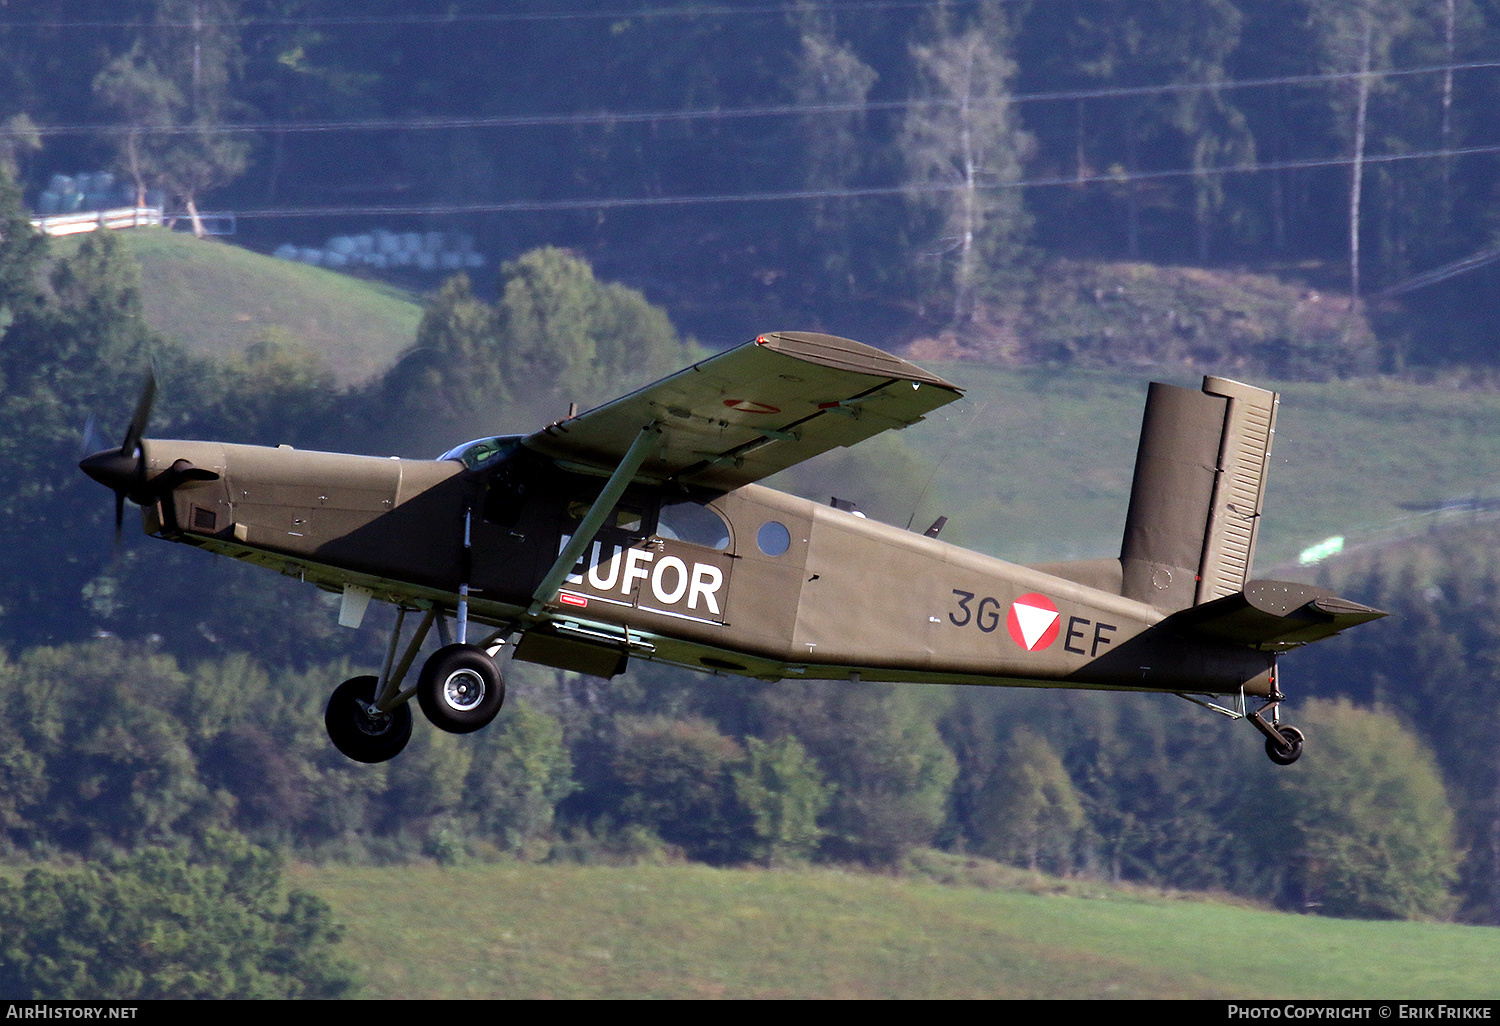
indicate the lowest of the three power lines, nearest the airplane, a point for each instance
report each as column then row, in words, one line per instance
column 616, row 203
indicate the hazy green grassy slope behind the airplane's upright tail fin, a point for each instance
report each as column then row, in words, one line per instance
column 1037, row 466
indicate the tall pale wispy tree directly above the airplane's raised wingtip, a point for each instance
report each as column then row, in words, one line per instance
column 964, row 152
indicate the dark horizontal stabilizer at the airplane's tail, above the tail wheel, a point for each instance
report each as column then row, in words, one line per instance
column 1273, row 616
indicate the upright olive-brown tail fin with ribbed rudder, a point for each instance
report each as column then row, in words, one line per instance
column 1201, row 479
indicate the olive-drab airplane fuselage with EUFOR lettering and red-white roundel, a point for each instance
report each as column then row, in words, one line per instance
column 788, row 589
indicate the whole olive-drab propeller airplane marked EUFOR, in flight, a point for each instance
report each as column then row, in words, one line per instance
column 637, row 530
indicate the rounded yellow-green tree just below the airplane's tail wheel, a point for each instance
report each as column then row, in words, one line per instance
column 1372, row 818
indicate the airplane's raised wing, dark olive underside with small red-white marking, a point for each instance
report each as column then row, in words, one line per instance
column 752, row 412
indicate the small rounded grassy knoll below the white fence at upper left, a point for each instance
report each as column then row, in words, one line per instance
column 217, row 299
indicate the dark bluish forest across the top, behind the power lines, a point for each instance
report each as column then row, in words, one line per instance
column 898, row 169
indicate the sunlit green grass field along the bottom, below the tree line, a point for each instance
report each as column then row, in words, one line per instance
column 518, row 931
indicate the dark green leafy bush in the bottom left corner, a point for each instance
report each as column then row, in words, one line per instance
column 169, row 925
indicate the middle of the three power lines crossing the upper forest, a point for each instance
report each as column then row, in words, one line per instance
column 692, row 115
